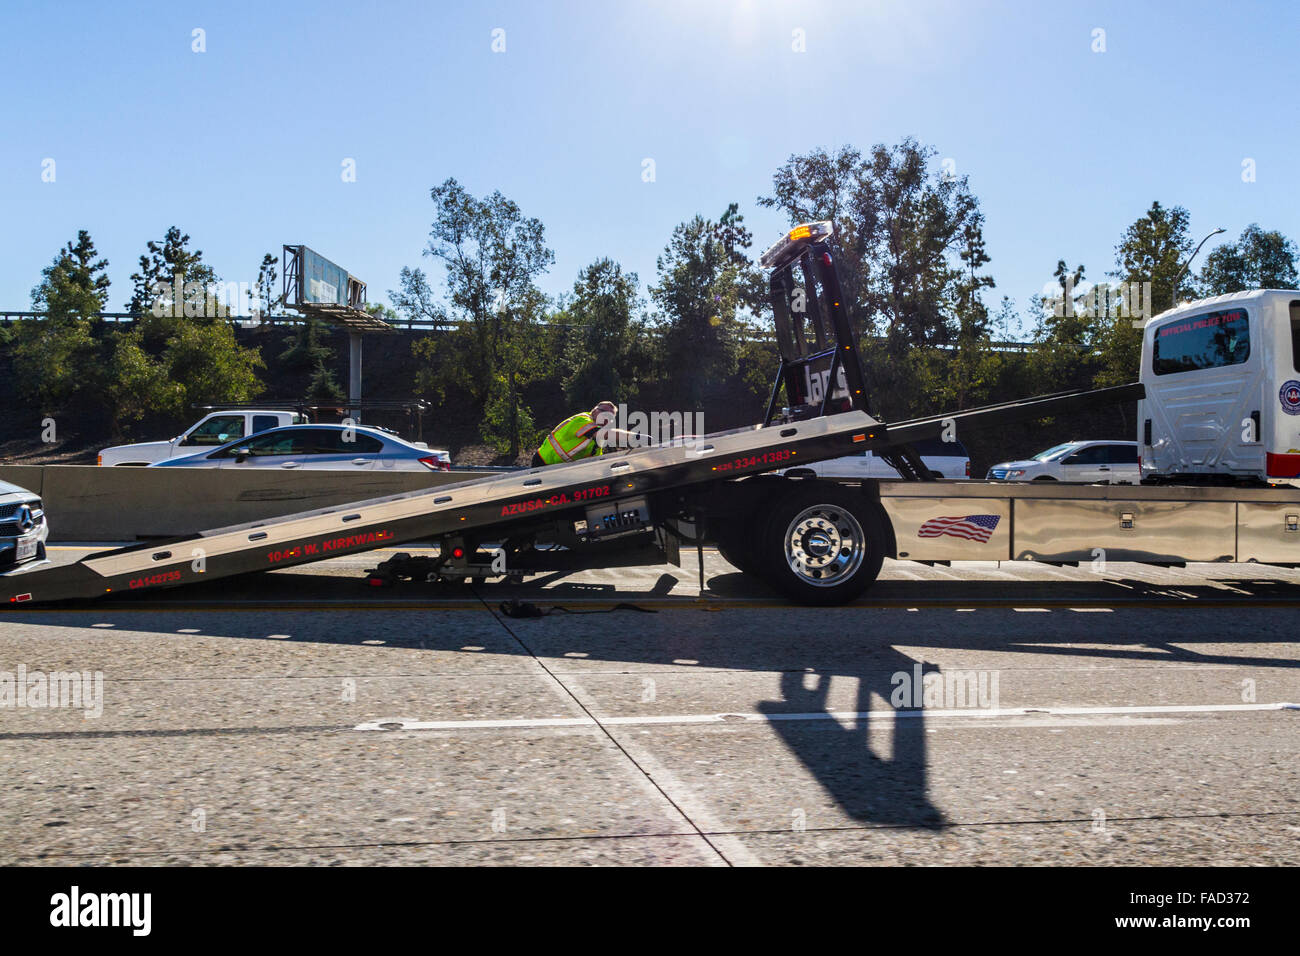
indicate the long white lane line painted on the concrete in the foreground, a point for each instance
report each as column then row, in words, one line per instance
column 972, row 713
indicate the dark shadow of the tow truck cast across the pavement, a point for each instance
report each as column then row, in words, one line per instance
column 807, row 647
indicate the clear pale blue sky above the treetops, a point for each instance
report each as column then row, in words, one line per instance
column 242, row 146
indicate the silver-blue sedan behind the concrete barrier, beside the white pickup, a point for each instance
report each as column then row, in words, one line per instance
column 318, row 448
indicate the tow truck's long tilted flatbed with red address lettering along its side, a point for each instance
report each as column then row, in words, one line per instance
column 500, row 500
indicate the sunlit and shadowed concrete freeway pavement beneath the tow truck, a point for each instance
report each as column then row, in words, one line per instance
column 987, row 715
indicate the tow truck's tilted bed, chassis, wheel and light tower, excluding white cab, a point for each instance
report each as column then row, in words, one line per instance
column 821, row 542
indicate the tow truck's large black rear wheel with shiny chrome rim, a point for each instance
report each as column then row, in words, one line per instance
column 821, row 546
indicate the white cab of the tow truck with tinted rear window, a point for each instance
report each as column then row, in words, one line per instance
column 1223, row 380
